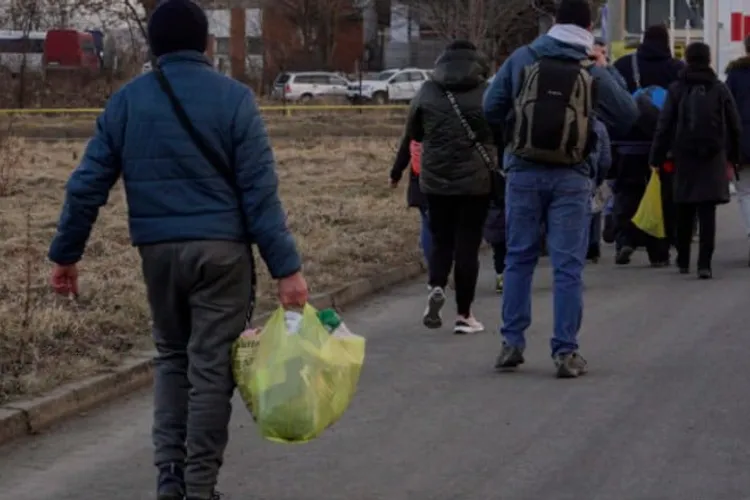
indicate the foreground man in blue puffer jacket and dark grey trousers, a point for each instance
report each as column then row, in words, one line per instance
column 185, row 220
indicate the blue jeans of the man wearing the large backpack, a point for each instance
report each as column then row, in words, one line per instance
column 561, row 198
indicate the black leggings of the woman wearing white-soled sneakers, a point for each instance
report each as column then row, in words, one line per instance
column 456, row 224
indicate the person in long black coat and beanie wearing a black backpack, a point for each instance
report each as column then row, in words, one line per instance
column 701, row 174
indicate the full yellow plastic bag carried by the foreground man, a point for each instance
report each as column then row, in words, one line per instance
column 302, row 382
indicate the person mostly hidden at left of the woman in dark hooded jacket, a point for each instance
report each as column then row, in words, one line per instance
column 409, row 156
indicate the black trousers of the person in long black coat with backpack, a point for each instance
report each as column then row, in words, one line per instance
column 686, row 216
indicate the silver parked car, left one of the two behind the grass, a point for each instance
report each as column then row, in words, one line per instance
column 304, row 86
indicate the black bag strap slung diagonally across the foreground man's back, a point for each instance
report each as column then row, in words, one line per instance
column 218, row 163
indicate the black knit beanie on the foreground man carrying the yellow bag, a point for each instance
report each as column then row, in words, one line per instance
column 177, row 25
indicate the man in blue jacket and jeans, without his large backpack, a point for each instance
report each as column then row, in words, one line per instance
column 537, row 193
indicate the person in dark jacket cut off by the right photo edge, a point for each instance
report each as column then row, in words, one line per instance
column 738, row 82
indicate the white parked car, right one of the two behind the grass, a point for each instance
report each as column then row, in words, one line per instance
column 391, row 85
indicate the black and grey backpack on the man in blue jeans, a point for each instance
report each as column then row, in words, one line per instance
column 553, row 112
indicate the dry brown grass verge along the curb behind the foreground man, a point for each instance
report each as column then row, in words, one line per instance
column 349, row 224
